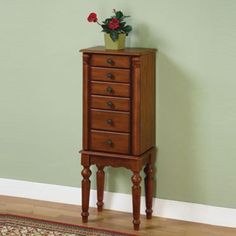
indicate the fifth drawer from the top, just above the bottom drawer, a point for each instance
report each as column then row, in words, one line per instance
column 110, row 120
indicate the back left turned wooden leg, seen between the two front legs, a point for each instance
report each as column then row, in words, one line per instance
column 100, row 187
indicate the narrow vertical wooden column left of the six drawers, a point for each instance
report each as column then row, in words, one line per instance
column 86, row 58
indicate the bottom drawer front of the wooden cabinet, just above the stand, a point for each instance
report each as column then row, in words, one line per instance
column 110, row 142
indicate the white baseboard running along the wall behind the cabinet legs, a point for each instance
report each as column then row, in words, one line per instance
column 121, row 202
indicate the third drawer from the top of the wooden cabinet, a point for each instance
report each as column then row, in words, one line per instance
column 111, row 89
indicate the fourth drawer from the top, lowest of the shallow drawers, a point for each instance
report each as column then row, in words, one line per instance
column 110, row 103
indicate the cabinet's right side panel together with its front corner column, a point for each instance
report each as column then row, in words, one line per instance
column 143, row 103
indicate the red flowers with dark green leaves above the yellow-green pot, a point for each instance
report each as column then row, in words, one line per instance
column 113, row 25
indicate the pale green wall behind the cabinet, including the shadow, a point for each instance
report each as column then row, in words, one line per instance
column 41, row 91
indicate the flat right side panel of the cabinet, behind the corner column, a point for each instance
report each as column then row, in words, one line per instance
column 148, row 75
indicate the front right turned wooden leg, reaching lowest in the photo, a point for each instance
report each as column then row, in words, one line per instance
column 136, row 195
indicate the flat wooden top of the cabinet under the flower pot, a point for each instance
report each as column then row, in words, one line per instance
column 126, row 51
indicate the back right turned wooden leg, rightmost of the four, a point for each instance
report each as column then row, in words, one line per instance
column 148, row 189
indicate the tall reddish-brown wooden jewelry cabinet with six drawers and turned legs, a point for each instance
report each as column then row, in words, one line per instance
column 119, row 120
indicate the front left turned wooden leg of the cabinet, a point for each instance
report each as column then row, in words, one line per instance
column 86, row 172
